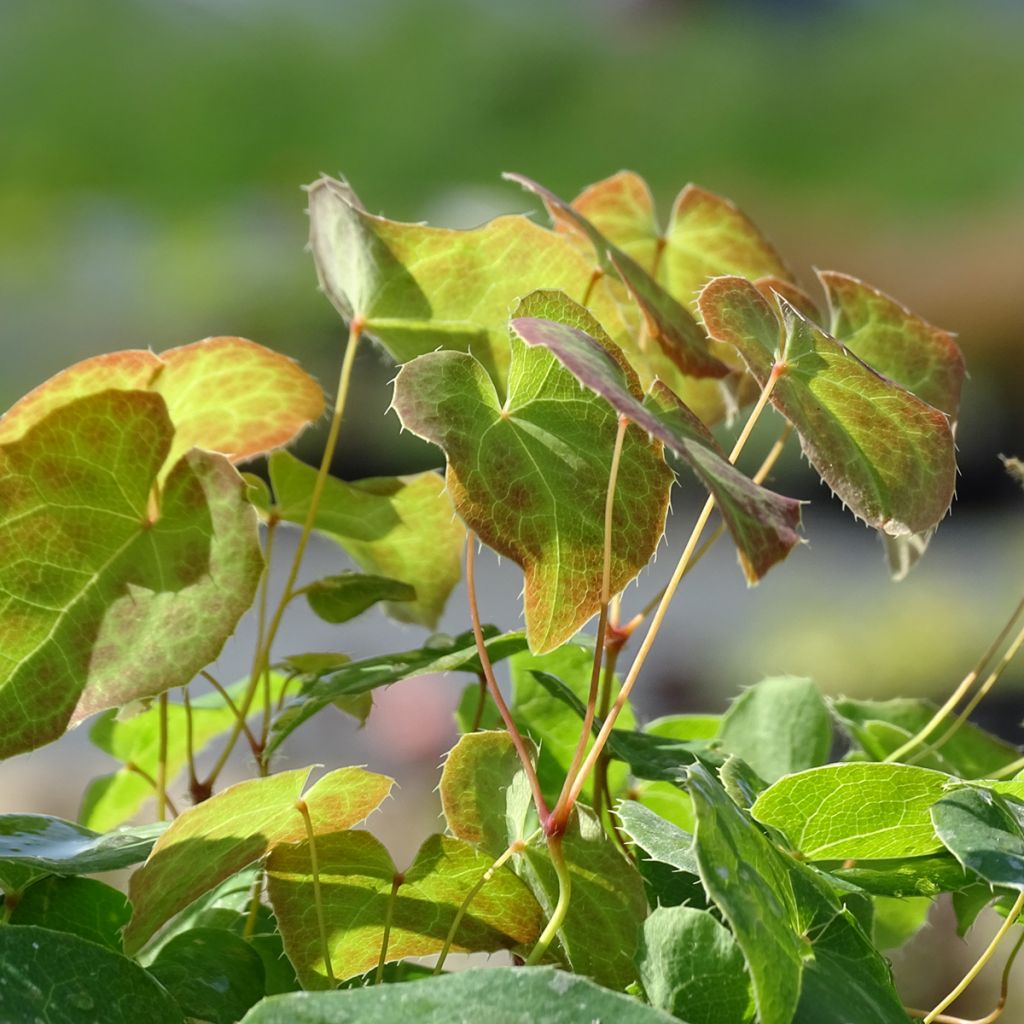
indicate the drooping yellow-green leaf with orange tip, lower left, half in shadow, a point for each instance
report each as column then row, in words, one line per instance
column 210, row 842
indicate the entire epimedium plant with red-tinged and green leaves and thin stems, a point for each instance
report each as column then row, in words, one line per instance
column 714, row 870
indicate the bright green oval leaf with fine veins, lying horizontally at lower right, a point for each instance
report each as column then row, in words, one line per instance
column 857, row 810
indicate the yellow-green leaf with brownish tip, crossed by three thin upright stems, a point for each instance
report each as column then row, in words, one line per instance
column 357, row 877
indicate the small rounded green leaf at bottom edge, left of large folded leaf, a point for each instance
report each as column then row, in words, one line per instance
column 692, row 967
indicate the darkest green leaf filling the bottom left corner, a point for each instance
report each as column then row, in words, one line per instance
column 58, row 978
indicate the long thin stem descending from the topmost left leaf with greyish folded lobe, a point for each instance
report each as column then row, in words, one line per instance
column 262, row 658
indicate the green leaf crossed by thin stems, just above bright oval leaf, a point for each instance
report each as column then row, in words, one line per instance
column 880, row 728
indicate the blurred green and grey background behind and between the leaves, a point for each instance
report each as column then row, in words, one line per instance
column 151, row 165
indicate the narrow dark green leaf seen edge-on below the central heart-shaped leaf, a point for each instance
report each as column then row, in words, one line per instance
column 442, row 654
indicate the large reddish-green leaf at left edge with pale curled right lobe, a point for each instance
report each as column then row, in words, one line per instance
column 93, row 579
